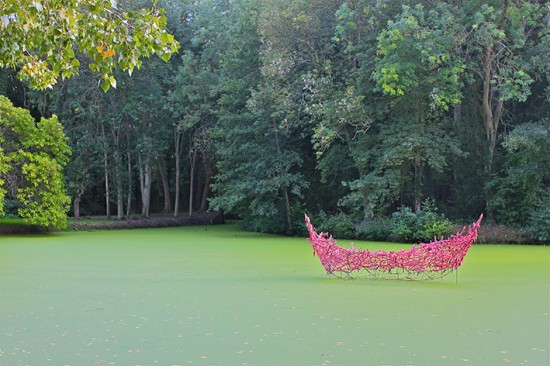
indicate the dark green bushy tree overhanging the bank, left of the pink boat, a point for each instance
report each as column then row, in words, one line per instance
column 255, row 176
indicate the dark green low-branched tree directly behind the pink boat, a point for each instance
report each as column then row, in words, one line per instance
column 405, row 155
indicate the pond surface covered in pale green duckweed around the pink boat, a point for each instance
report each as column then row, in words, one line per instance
column 219, row 296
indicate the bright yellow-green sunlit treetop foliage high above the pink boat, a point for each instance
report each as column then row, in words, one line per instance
column 416, row 50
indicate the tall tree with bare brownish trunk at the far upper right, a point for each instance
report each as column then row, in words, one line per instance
column 500, row 33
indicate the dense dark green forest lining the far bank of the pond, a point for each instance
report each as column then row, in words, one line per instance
column 350, row 111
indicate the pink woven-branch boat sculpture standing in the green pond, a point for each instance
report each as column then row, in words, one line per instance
column 421, row 262
